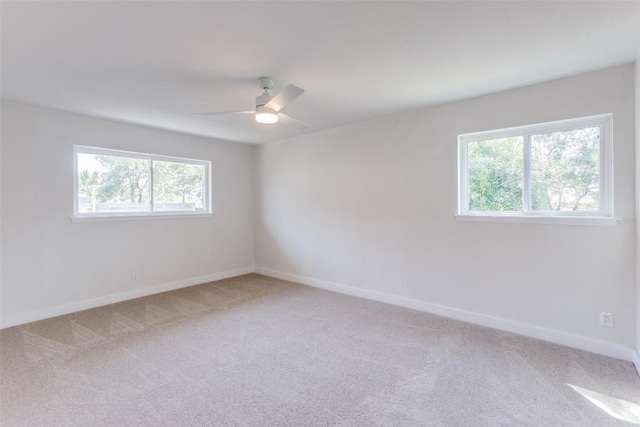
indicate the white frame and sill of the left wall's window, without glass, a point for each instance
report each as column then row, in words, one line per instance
column 81, row 217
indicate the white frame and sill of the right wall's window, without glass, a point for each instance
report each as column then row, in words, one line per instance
column 604, row 216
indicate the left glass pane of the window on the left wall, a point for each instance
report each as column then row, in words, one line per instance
column 112, row 184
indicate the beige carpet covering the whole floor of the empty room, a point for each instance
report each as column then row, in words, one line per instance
column 256, row 351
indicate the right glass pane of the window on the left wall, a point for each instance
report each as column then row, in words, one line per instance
column 178, row 187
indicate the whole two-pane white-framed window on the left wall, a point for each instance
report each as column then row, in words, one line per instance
column 112, row 183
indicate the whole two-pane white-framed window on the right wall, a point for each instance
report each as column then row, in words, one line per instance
column 559, row 170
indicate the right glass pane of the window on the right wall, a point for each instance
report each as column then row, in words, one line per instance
column 565, row 170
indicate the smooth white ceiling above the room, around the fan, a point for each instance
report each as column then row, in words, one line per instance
column 156, row 63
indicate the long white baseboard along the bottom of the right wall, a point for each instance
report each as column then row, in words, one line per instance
column 558, row 337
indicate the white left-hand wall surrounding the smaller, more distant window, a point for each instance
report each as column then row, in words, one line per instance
column 51, row 266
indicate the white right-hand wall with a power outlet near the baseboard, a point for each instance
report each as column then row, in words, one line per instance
column 369, row 208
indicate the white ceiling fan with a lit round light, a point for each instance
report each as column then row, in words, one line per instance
column 268, row 106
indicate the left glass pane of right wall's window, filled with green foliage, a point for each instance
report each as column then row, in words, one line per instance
column 495, row 174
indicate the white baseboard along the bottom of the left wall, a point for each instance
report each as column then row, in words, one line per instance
column 59, row 310
